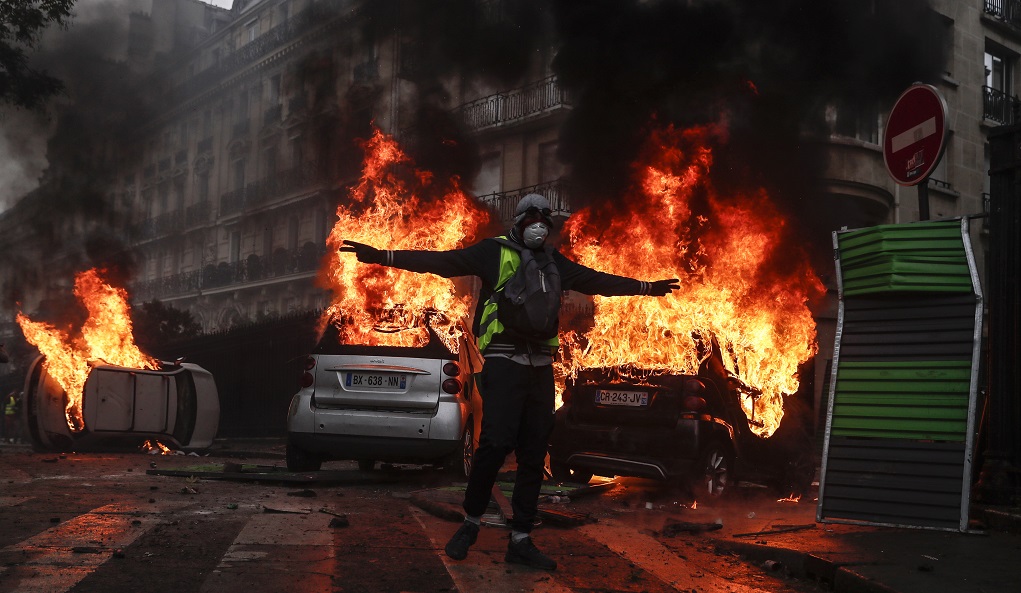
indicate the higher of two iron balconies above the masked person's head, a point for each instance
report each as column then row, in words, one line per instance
column 513, row 107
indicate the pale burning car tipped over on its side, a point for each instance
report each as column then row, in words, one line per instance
column 176, row 405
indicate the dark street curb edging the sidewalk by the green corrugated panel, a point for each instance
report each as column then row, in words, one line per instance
column 841, row 578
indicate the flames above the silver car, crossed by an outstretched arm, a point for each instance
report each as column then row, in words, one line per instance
column 385, row 307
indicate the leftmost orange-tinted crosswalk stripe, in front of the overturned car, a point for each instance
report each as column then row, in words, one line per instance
column 63, row 556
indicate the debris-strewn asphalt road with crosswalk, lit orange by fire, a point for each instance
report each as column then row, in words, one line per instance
column 131, row 522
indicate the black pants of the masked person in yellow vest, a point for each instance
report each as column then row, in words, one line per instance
column 518, row 406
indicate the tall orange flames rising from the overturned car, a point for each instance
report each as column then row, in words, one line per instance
column 106, row 337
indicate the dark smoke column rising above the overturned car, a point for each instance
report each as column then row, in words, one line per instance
column 90, row 133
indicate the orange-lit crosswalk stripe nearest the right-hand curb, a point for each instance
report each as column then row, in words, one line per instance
column 658, row 560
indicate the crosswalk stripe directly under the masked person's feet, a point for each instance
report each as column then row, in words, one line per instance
column 487, row 575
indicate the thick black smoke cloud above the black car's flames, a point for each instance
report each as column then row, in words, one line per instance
column 770, row 67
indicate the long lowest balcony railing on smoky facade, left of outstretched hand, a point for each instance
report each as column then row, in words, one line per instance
column 282, row 263
